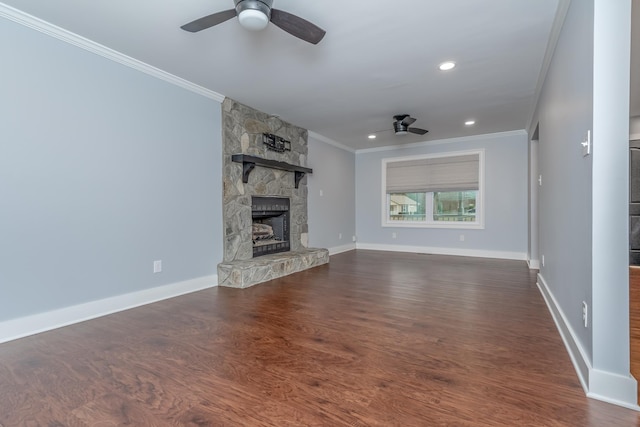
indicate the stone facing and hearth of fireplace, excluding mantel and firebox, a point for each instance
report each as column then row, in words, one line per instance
column 242, row 129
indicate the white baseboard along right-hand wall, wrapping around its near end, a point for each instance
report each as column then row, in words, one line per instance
column 601, row 385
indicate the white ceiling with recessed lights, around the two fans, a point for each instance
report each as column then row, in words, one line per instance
column 379, row 58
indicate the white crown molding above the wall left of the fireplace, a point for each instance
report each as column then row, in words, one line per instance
column 49, row 29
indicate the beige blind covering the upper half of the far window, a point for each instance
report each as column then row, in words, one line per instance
column 452, row 173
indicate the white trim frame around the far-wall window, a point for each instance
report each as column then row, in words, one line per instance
column 480, row 205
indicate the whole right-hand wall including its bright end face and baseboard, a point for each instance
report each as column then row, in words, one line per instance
column 586, row 246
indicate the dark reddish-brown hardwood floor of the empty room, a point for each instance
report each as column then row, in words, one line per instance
column 371, row 339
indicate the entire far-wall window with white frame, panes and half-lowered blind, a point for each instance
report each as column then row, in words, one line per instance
column 443, row 190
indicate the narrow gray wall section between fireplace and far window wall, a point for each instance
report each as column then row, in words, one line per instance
column 334, row 212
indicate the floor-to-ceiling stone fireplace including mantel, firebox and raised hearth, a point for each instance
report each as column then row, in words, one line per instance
column 256, row 181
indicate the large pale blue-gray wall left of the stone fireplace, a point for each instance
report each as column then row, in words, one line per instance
column 103, row 169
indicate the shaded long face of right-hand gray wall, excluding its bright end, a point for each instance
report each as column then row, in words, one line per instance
column 564, row 114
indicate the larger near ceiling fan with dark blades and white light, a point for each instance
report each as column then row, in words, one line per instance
column 255, row 15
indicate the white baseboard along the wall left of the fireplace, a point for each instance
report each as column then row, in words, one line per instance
column 42, row 322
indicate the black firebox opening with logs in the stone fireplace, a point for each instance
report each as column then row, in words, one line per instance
column 270, row 225
